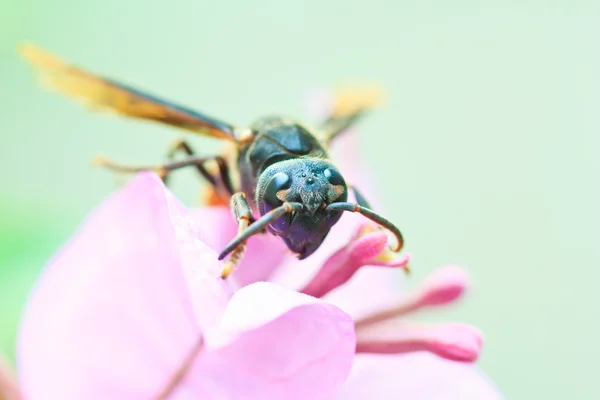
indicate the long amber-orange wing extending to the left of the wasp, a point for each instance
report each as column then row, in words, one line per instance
column 105, row 94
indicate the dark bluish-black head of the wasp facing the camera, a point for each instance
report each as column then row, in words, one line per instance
column 315, row 184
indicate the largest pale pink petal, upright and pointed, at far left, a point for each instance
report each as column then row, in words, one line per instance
column 112, row 318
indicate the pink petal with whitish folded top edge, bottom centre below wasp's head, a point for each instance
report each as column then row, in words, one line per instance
column 274, row 343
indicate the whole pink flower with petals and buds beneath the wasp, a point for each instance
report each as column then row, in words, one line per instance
column 133, row 308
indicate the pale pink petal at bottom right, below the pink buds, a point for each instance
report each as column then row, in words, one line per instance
column 415, row 376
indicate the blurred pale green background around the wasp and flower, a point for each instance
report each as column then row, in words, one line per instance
column 485, row 150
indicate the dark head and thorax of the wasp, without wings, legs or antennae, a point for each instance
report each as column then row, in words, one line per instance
column 285, row 163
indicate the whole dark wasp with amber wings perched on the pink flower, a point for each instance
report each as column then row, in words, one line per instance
column 277, row 168
